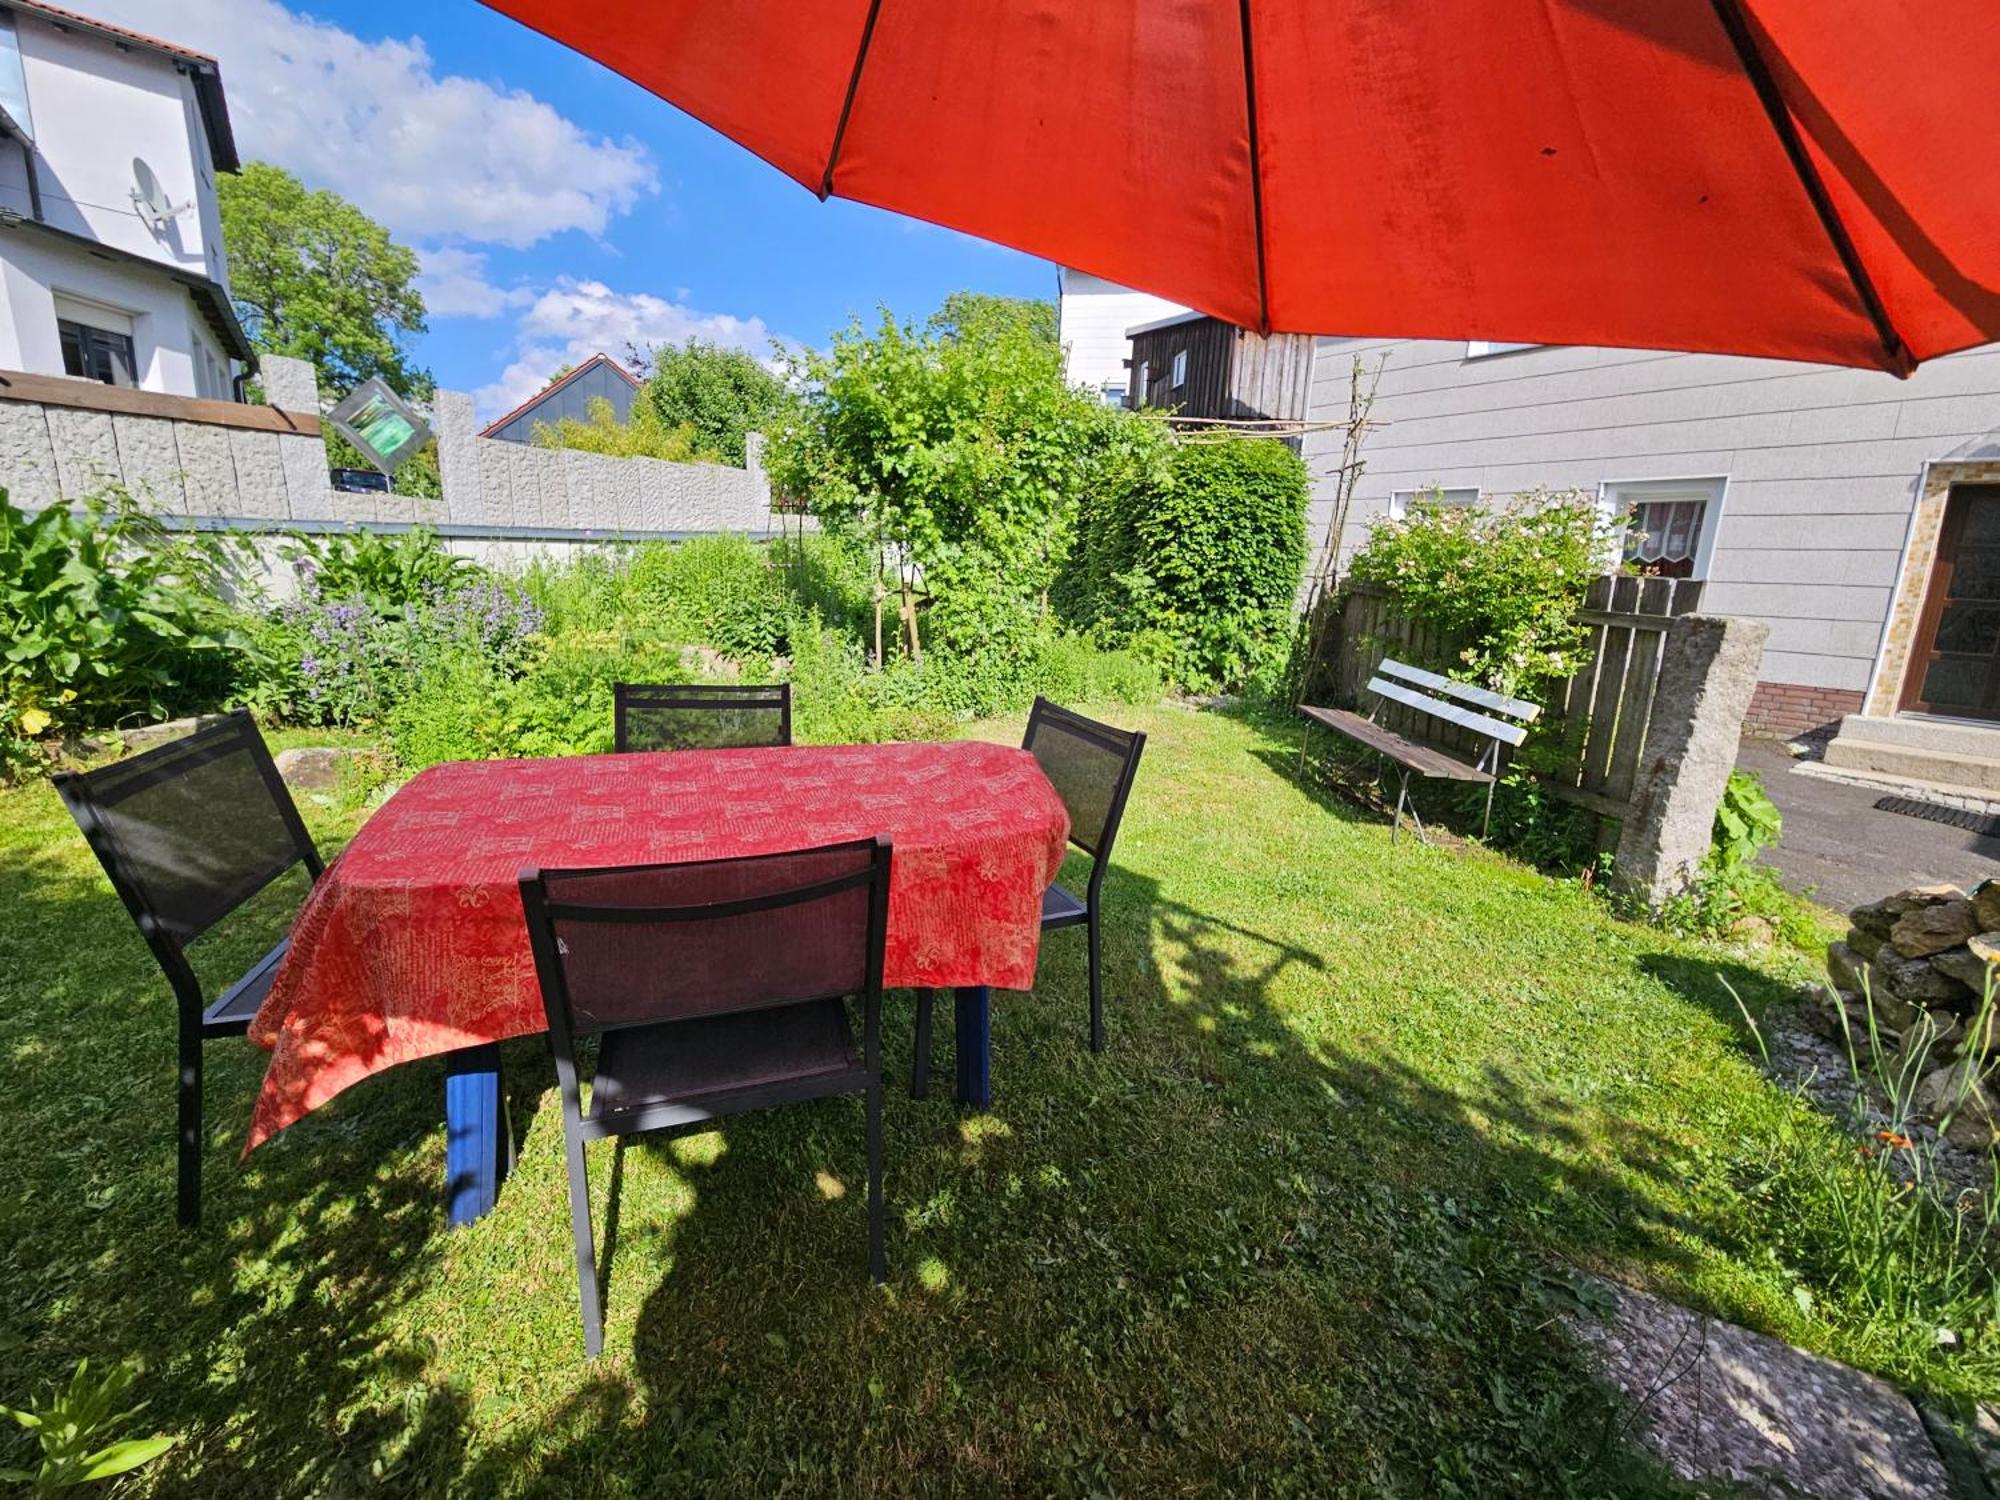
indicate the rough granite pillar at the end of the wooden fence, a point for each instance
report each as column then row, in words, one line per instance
column 1707, row 677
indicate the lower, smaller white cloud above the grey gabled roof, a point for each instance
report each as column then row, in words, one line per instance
column 577, row 319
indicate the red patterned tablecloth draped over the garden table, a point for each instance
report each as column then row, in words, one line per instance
column 413, row 941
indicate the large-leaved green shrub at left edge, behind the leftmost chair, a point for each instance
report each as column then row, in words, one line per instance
column 109, row 619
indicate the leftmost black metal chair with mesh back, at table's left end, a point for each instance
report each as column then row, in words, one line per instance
column 189, row 833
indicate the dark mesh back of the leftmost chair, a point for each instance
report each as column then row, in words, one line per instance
column 193, row 829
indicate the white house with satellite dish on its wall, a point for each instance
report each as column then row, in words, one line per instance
column 111, row 239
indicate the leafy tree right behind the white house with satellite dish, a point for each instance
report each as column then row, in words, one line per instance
column 317, row 279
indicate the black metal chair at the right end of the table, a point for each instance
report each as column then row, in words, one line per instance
column 1091, row 767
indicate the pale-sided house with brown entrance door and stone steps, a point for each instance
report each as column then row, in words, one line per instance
column 1855, row 513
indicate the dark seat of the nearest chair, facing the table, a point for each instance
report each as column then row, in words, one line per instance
column 689, row 1071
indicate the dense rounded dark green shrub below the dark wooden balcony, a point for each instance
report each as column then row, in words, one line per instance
column 1197, row 559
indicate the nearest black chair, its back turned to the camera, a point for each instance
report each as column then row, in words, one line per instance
column 715, row 987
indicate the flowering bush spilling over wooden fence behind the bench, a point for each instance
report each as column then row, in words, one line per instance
column 1509, row 583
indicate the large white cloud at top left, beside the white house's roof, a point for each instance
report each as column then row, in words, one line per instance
column 373, row 121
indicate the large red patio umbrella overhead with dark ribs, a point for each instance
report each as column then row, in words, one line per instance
column 1799, row 179
